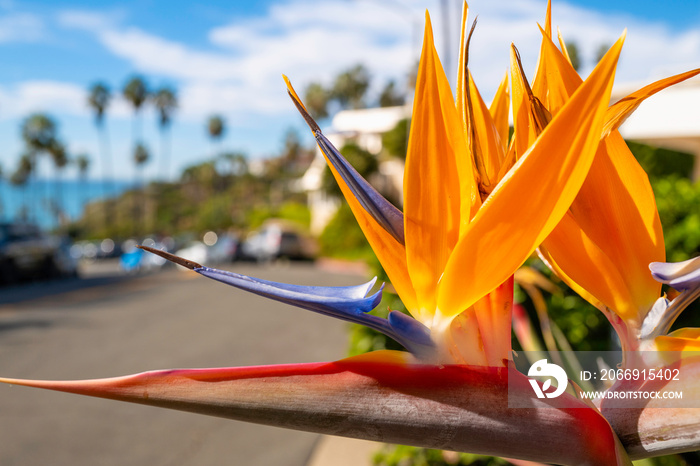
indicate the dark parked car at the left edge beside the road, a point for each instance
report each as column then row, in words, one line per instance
column 26, row 253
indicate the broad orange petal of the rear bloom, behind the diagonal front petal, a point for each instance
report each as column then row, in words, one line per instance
column 611, row 234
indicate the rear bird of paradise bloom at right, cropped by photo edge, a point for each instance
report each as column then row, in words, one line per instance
column 605, row 246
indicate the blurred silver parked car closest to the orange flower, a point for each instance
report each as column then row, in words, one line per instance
column 275, row 240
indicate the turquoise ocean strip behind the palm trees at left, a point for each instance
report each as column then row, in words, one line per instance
column 37, row 200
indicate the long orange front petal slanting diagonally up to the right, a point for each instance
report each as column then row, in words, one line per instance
column 532, row 198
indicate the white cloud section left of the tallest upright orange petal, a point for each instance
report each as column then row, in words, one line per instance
column 242, row 71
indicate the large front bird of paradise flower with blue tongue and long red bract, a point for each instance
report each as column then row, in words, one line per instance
column 476, row 206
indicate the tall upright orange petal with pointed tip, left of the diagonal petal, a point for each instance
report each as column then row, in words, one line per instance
column 435, row 163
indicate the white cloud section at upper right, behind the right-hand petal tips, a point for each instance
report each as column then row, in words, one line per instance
column 651, row 50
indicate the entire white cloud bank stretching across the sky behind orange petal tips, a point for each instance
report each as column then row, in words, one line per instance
column 310, row 40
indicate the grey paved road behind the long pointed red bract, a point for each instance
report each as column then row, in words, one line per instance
column 110, row 326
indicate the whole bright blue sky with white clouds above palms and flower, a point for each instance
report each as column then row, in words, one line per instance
column 227, row 57
